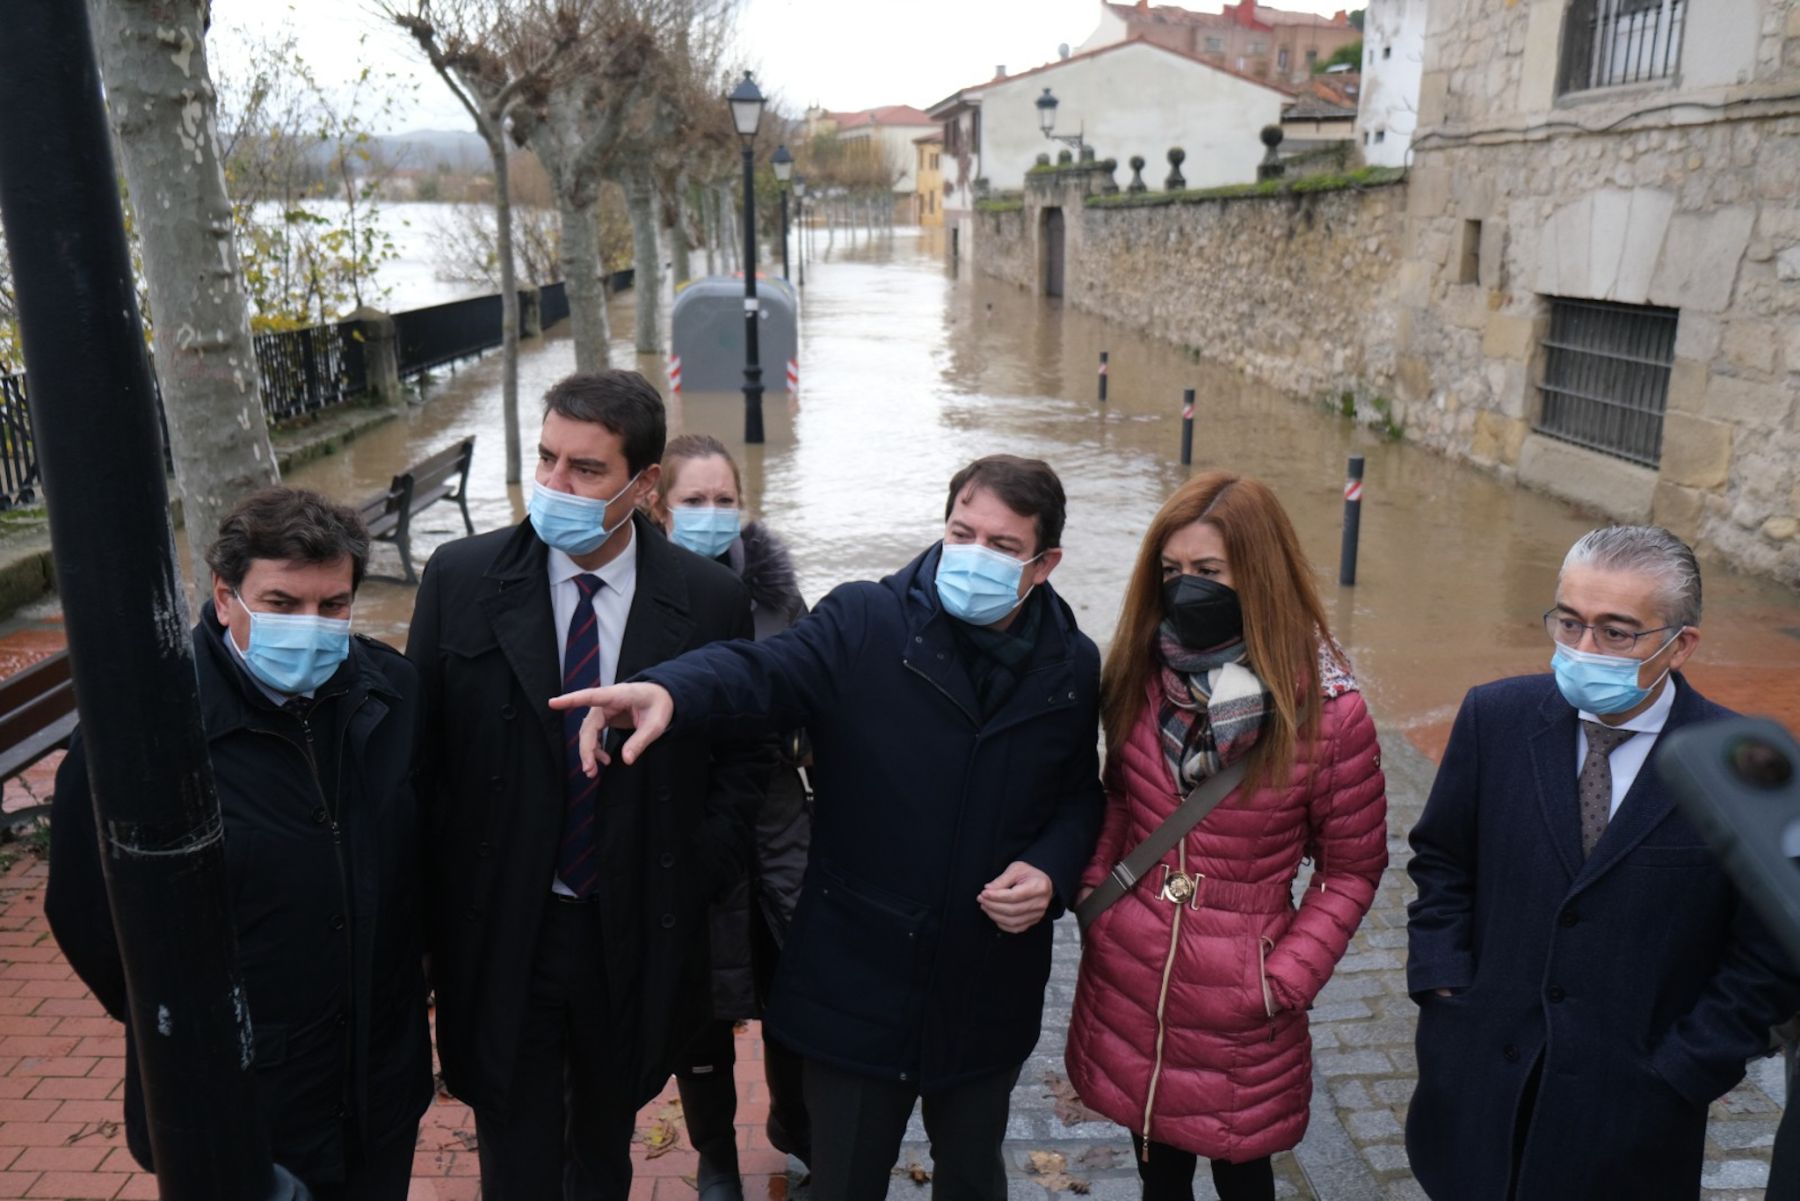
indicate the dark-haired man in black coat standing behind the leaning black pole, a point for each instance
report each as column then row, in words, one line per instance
column 312, row 736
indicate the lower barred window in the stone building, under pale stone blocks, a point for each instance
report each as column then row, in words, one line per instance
column 1606, row 377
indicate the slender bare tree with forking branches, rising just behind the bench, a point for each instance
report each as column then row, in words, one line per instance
column 499, row 59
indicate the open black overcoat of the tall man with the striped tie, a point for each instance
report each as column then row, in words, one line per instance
column 674, row 827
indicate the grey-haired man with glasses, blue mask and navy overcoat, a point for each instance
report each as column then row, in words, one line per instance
column 1588, row 979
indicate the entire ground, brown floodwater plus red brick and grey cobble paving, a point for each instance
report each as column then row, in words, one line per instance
column 908, row 372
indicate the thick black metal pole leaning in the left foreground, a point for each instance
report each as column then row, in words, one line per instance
column 94, row 419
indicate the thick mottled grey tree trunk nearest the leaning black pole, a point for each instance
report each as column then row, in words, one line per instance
column 165, row 120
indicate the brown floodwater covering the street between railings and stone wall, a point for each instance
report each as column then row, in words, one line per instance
column 910, row 372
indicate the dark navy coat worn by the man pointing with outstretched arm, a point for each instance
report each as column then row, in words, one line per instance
column 890, row 968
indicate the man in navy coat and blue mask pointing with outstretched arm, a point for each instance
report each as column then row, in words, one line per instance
column 953, row 712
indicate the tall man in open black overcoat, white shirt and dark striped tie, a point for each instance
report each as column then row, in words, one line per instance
column 570, row 914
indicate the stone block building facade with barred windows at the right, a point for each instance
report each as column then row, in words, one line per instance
column 1601, row 280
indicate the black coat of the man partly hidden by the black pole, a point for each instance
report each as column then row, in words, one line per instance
column 323, row 858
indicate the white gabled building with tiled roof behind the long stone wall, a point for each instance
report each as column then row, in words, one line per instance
column 1133, row 98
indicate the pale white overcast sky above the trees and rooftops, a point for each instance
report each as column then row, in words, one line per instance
column 843, row 55
